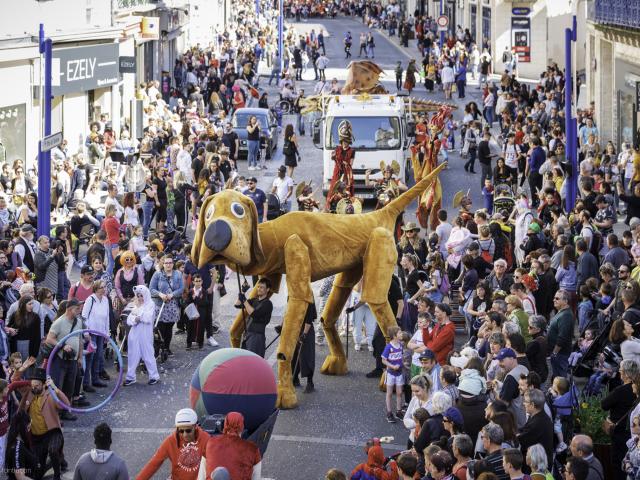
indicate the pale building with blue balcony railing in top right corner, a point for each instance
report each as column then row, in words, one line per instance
column 613, row 75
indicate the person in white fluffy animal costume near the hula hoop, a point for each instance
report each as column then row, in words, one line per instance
column 140, row 338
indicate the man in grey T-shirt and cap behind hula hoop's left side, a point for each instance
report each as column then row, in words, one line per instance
column 65, row 367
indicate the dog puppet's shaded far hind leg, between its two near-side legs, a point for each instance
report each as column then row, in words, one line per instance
column 336, row 362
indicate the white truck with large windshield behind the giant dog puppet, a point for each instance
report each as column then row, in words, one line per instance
column 381, row 126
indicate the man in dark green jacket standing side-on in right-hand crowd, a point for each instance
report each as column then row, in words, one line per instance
column 560, row 336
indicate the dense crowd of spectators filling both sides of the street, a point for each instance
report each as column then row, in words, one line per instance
column 544, row 292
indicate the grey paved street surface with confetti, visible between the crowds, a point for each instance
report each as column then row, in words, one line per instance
column 330, row 425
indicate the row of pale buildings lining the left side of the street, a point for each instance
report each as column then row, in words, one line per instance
column 102, row 50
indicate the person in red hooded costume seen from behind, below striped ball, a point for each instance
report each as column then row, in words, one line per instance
column 240, row 457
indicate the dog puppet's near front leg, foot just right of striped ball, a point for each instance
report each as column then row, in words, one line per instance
column 298, row 275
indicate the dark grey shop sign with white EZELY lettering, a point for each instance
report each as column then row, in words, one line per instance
column 85, row 68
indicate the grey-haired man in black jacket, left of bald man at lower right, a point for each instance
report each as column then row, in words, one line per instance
column 539, row 427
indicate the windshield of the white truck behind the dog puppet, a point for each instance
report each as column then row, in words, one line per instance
column 370, row 133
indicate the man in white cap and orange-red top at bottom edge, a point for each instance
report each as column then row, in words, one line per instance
column 184, row 448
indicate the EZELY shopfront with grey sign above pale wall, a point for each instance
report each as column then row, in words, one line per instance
column 83, row 77
